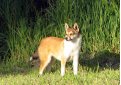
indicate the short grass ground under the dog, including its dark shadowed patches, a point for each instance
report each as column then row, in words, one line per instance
column 102, row 70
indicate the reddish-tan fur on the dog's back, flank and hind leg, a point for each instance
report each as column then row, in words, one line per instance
column 47, row 45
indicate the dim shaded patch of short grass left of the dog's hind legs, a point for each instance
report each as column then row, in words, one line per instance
column 14, row 69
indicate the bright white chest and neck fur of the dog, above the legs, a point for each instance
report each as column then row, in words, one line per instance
column 71, row 48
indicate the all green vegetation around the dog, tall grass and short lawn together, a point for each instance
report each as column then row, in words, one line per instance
column 20, row 34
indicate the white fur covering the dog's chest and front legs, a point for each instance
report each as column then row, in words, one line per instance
column 71, row 51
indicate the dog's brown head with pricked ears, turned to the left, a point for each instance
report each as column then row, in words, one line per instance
column 71, row 32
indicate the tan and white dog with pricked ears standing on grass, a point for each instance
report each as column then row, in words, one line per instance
column 62, row 49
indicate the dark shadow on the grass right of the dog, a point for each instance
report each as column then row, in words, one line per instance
column 101, row 60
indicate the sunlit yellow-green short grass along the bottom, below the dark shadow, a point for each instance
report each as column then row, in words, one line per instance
column 86, row 76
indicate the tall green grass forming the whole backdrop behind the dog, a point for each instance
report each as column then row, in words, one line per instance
column 98, row 21
